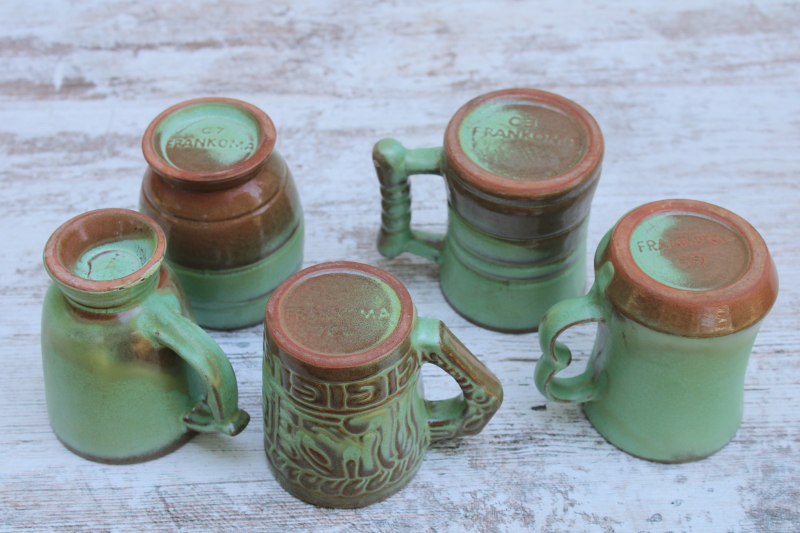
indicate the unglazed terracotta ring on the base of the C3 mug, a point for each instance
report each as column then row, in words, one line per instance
column 483, row 180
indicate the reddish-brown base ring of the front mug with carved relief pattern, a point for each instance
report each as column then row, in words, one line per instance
column 350, row 367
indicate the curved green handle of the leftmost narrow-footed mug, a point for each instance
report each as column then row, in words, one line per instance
column 218, row 412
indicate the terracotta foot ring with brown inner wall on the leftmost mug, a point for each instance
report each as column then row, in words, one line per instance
column 74, row 236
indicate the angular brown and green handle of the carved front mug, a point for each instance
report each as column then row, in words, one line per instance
column 482, row 394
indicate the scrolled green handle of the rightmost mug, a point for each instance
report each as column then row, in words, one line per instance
column 557, row 356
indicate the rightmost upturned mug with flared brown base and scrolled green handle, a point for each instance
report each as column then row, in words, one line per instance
column 680, row 292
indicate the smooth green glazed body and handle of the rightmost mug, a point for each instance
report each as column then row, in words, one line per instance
column 655, row 395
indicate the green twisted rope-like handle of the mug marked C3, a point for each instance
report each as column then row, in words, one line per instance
column 394, row 164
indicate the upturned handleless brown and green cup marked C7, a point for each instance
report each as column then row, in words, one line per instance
column 228, row 205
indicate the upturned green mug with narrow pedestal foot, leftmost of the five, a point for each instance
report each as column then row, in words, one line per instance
column 128, row 375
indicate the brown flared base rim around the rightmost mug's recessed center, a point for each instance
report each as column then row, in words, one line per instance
column 673, row 310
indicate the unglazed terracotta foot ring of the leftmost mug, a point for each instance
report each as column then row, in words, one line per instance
column 56, row 268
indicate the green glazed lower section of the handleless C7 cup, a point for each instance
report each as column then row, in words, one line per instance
column 223, row 299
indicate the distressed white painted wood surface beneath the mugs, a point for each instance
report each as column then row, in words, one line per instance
column 696, row 99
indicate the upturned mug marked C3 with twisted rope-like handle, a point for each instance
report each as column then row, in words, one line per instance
column 521, row 167
